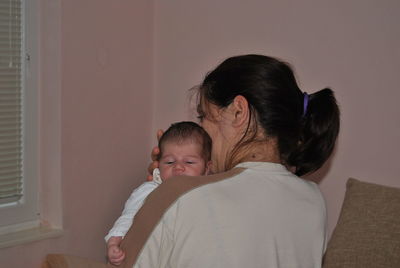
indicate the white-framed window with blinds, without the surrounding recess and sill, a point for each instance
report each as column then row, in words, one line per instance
column 18, row 117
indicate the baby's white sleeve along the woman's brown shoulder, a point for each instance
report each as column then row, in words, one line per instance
column 132, row 205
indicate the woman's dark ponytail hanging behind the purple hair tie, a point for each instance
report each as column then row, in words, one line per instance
column 318, row 132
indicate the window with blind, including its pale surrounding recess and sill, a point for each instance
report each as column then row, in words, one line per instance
column 25, row 217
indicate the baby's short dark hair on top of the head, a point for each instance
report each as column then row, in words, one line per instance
column 187, row 131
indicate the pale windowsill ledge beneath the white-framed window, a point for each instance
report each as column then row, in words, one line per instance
column 27, row 236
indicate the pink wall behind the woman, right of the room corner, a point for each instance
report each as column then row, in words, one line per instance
column 351, row 46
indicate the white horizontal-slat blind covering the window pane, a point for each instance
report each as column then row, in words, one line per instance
column 10, row 101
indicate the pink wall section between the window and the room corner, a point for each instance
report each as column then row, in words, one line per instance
column 106, row 85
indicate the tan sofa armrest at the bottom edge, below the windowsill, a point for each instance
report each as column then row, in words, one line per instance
column 68, row 261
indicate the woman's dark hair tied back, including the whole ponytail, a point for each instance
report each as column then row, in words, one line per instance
column 305, row 137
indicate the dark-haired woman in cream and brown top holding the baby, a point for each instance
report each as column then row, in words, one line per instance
column 255, row 211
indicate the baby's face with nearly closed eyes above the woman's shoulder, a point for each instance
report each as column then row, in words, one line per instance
column 182, row 159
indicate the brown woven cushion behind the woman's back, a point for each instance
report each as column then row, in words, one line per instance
column 368, row 230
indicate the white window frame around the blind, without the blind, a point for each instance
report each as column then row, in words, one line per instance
column 24, row 213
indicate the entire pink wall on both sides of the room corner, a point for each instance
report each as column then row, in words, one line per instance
column 112, row 56
